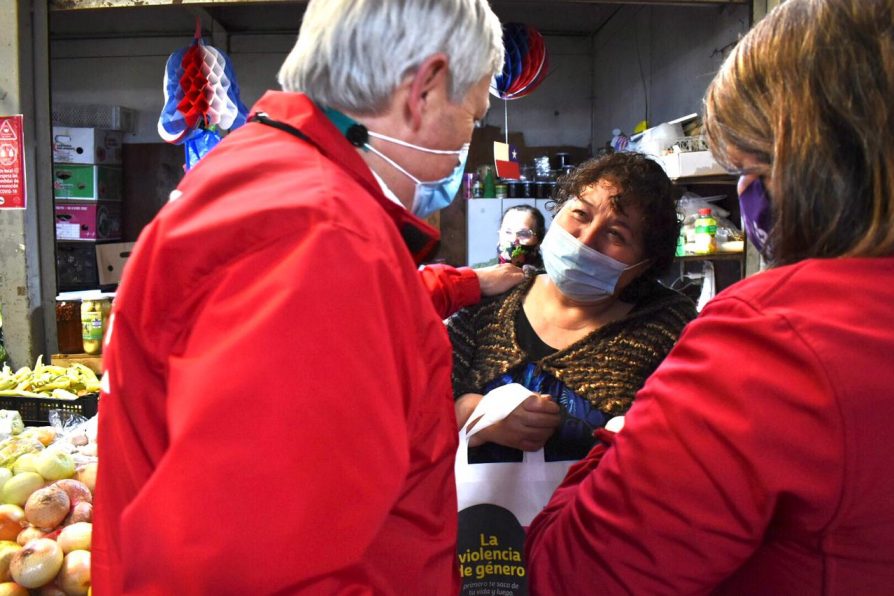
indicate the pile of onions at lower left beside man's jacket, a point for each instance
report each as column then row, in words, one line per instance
column 47, row 478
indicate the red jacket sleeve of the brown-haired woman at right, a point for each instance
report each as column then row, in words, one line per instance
column 734, row 425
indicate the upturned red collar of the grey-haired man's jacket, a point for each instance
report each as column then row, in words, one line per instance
column 298, row 111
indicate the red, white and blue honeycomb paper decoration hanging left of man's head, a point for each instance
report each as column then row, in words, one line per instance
column 201, row 98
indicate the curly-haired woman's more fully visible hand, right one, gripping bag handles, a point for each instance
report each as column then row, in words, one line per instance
column 528, row 427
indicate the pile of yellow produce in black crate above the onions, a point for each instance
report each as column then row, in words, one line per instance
column 47, row 380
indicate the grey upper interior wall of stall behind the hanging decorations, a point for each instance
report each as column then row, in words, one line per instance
column 663, row 56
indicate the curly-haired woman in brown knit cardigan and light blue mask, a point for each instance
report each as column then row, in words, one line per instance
column 584, row 336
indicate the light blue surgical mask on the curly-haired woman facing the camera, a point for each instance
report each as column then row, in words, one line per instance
column 581, row 273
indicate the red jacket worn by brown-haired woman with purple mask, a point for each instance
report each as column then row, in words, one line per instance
column 756, row 460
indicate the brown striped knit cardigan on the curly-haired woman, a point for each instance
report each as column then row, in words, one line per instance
column 607, row 367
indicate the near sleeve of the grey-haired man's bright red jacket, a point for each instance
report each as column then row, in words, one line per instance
column 288, row 435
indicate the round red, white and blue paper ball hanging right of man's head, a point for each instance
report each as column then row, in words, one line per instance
column 526, row 63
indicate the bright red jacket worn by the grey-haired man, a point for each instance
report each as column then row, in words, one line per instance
column 278, row 416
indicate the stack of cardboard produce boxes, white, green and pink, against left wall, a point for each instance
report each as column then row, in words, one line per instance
column 88, row 193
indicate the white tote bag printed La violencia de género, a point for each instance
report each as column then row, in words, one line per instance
column 497, row 501
